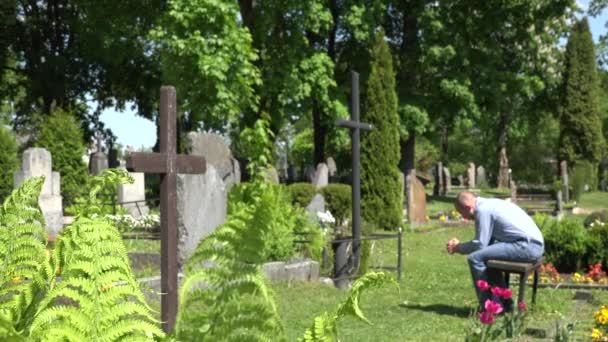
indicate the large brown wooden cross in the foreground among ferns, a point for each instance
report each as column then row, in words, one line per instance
column 167, row 163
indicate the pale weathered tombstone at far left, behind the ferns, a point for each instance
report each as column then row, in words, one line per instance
column 38, row 162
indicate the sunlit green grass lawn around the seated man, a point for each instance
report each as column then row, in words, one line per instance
column 435, row 300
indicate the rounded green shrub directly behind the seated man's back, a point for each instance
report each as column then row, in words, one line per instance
column 566, row 244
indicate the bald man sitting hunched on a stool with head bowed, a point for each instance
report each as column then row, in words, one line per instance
column 503, row 231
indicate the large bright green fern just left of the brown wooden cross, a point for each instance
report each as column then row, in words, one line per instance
column 104, row 301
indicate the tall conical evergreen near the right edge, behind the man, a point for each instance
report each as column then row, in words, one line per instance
column 581, row 135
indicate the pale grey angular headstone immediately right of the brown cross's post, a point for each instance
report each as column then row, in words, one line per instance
column 201, row 207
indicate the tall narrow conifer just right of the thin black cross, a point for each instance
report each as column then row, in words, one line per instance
column 380, row 190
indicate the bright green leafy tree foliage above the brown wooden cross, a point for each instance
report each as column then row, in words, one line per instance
column 207, row 55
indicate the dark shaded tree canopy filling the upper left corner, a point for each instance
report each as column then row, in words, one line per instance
column 68, row 50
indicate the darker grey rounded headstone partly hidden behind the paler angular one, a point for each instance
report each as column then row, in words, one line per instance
column 217, row 152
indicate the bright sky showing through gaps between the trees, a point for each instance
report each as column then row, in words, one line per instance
column 136, row 131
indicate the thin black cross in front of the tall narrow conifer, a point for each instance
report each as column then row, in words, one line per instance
column 355, row 127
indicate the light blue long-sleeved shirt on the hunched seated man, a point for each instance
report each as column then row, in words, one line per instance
column 497, row 220
